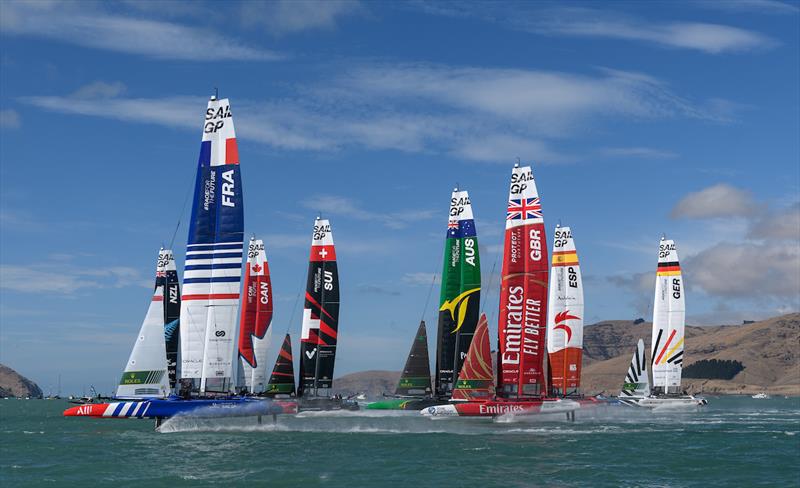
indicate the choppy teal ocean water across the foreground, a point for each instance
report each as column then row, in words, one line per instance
column 732, row 442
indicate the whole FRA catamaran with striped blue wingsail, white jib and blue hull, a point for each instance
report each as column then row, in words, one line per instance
column 209, row 304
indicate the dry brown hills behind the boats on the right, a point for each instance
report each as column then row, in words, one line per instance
column 768, row 349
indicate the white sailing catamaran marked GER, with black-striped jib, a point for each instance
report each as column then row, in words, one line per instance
column 666, row 355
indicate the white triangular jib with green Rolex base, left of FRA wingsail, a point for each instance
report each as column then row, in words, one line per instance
column 145, row 374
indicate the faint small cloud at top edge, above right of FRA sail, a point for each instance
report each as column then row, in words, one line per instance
column 290, row 16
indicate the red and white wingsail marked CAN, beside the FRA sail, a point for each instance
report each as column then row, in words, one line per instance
column 256, row 316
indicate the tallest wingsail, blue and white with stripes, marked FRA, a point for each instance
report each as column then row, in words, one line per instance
column 212, row 274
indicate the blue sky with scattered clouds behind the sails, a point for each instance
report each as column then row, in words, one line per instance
column 639, row 119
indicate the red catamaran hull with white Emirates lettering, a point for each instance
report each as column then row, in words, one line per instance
column 496, row 408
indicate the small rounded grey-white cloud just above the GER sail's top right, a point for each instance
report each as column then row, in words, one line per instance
column 720, row 200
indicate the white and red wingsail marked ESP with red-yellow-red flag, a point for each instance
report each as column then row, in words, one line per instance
column 565, row 316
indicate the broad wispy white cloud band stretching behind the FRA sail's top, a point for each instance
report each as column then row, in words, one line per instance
column 476, row 114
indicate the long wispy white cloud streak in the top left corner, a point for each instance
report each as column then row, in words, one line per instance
column 80, row 24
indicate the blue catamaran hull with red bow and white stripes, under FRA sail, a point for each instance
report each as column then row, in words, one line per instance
column 159, row 409
